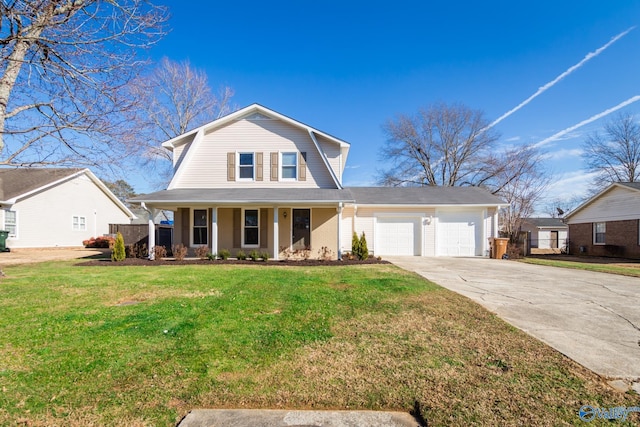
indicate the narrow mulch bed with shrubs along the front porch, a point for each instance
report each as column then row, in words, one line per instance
column 192, row 261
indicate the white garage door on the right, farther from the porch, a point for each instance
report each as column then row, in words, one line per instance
column 459, row 233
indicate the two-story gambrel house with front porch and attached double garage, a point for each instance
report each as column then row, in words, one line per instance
column 256, row 179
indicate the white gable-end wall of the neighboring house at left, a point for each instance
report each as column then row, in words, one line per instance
column 45, row 218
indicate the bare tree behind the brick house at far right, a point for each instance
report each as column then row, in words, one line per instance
column 614, row 155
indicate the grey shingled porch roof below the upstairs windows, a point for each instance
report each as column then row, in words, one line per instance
column 246, row 195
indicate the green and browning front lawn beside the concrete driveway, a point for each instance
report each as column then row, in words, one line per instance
column 143, row 345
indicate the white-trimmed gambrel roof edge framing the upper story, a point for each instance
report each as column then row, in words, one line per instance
column 253, row 110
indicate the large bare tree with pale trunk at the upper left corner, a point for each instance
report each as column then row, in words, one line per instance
column 64, row 65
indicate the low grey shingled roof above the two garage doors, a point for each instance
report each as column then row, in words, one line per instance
column 425, row 196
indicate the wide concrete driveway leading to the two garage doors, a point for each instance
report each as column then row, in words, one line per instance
column 593, row 318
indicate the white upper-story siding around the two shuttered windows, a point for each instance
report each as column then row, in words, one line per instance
column 207, row 167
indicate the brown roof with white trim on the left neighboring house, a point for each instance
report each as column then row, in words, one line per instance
column 18, row 183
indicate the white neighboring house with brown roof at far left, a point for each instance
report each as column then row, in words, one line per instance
column 56, row 207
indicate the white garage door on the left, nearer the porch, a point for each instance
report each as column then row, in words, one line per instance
column 397, row 236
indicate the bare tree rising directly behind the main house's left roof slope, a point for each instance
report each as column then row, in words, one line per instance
column 174, row 98
